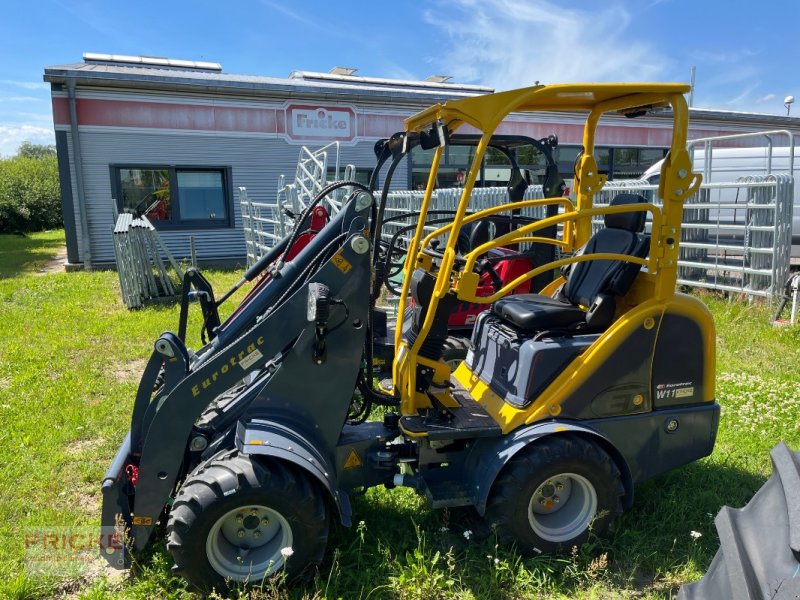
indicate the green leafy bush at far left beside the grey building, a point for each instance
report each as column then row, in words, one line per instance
column 30, row 197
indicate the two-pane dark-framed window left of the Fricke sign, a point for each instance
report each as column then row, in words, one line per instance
column 175, row 197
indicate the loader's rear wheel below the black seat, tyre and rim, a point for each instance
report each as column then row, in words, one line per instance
column 551, row 494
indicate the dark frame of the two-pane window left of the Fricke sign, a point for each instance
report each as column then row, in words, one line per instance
column 175, row 222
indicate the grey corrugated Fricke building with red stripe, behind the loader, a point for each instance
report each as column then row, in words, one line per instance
column 177, row 138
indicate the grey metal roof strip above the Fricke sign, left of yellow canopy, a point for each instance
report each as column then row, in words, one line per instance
column 303, row 83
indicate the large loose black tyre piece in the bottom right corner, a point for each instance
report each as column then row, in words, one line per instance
column 759, row 554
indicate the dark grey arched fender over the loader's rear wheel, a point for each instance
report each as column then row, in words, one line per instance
column 489, row 456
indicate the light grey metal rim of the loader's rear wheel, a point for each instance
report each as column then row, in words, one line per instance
column 562, row 507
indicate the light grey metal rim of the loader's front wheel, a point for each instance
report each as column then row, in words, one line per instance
column 245, row 544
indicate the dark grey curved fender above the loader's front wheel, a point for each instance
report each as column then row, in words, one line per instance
column 268, row 438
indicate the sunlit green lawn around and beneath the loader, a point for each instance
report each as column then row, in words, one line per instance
column 71, row 355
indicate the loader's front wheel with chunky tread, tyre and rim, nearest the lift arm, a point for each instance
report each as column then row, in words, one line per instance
column 234, row 502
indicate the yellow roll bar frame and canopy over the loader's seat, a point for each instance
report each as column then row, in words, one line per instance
column 485, row 113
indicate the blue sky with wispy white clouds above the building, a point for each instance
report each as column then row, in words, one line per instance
column 746, row 54
